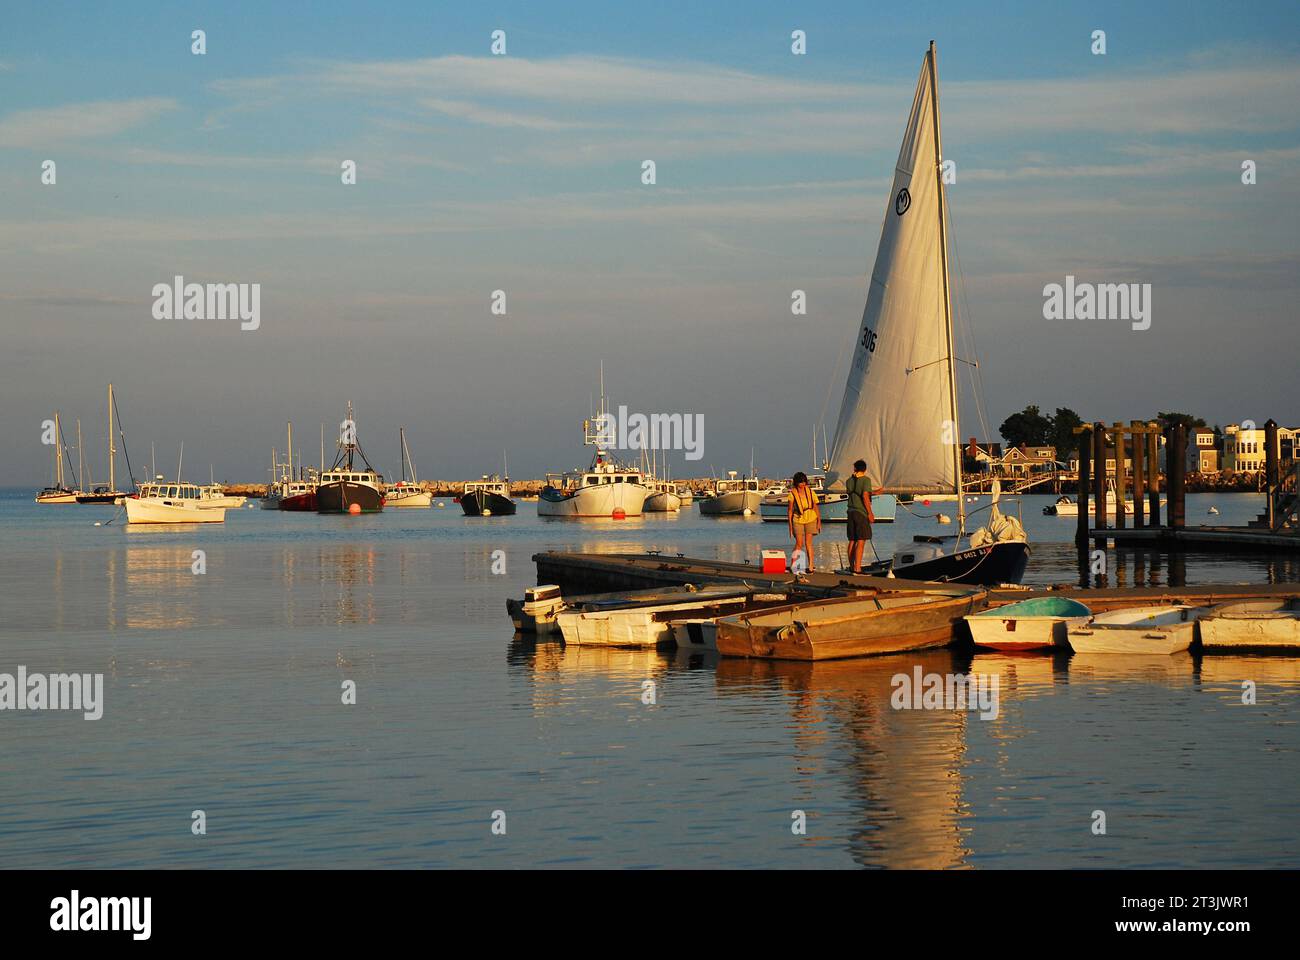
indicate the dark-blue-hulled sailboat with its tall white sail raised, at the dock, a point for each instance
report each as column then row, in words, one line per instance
column 900, row 403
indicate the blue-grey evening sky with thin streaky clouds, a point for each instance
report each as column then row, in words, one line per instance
column 523, row 174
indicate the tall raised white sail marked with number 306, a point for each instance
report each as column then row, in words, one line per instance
column 899, row 407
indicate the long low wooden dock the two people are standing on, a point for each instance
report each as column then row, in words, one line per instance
column 605, row 573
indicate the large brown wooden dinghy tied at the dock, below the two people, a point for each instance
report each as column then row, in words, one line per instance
column 861, row 626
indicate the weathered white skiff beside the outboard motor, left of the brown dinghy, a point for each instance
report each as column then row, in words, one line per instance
column 649, row 625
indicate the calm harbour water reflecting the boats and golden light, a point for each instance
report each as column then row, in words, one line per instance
column 224, row 694
